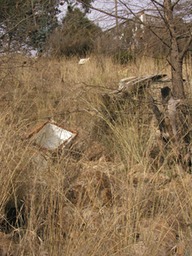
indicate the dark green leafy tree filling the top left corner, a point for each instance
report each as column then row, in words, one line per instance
column 26, row 23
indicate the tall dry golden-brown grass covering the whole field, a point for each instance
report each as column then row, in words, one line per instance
column 107, row 198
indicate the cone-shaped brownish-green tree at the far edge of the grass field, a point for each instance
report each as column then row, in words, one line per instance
column 76, row 36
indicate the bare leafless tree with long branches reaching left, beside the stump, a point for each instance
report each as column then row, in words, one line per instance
column 176, row 19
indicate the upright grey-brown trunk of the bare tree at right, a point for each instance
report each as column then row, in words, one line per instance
column 178, row 49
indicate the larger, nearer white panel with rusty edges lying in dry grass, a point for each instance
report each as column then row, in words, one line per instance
column 51, row 136
